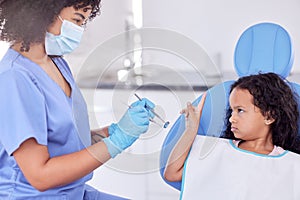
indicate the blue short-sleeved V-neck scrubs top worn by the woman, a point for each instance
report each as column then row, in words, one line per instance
column 32, row 105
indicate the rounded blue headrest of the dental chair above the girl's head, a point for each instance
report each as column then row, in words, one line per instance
column 264, row 47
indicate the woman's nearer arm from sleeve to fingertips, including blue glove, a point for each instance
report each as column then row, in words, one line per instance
column 44, row 172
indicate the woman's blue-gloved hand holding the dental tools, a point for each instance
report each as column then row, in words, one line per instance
column 133, row 123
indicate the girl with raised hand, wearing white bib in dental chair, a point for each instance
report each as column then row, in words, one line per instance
column 255, row 161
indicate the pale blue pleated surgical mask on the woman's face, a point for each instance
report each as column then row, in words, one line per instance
column 68, row 40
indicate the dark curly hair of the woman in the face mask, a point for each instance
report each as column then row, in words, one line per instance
column 27, row 21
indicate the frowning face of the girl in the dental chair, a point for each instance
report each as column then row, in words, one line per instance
column 247, row 121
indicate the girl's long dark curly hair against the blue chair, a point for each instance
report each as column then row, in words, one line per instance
column 275, row 99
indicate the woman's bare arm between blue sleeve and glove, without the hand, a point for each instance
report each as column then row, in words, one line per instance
column 43, row 172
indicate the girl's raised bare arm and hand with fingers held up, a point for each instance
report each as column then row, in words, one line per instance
column 174, row 167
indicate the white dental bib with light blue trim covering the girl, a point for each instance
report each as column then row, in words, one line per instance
column 217, row 170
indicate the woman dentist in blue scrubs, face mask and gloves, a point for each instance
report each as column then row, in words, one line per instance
column 45, row 141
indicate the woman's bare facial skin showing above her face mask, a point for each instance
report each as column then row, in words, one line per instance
column 78, row 17
